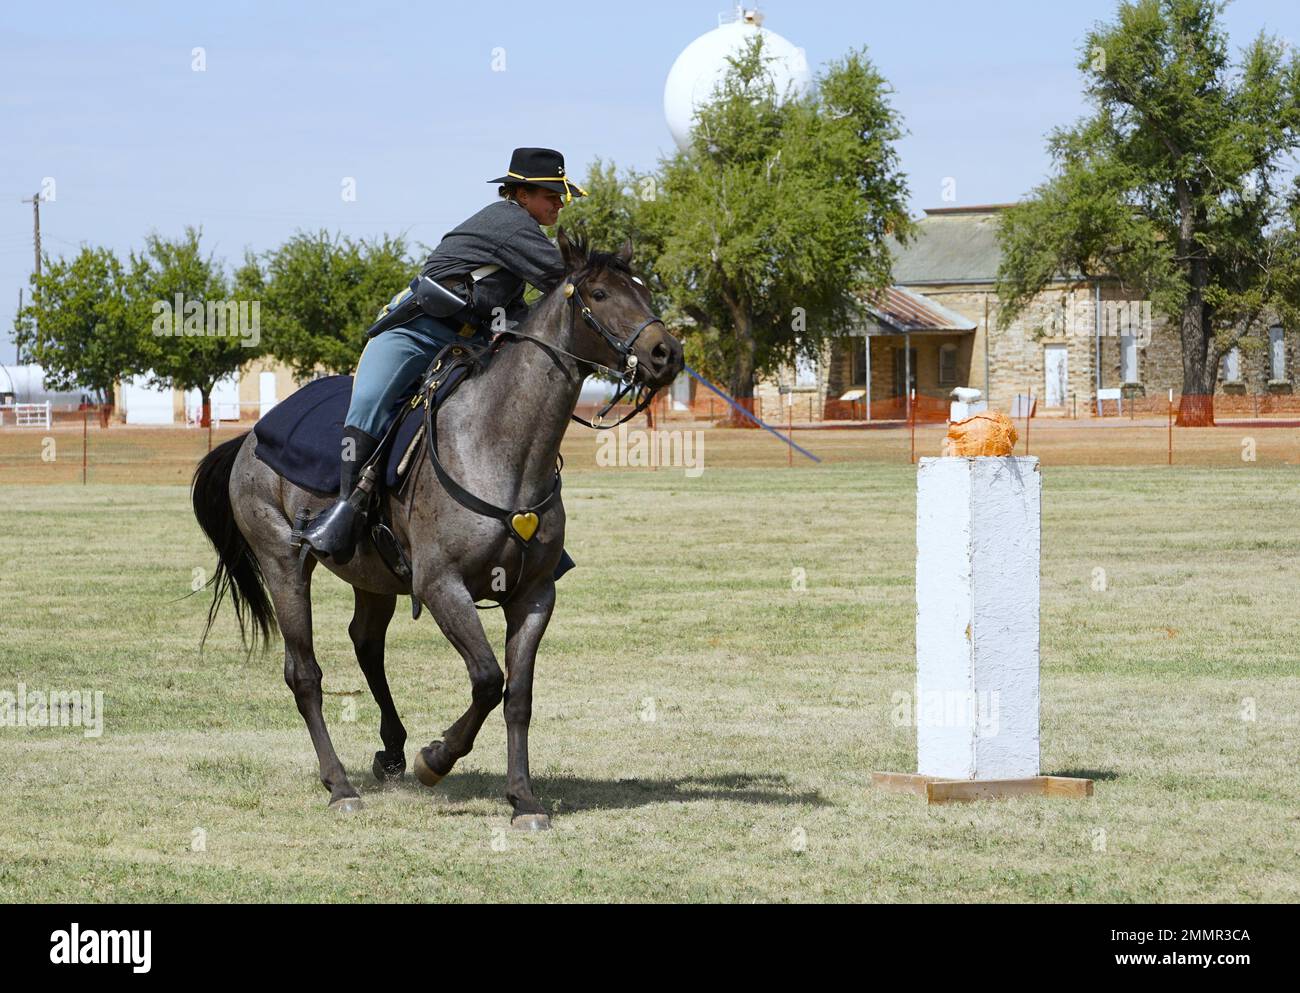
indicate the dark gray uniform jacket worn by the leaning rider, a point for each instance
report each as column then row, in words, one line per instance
column 506, row 235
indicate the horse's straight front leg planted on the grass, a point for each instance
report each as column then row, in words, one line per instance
column 527, row 618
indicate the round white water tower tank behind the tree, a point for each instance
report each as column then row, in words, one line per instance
column 704, row 63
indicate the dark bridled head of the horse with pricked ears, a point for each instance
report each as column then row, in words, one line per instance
column 614, row 324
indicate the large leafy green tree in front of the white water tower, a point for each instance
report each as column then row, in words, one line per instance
column 774, row 226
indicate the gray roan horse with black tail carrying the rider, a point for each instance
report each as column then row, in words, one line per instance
column 499, row 437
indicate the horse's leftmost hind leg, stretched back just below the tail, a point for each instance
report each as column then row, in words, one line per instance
column 294, row 610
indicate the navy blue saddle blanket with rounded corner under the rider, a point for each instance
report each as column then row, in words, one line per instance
column 302, row 437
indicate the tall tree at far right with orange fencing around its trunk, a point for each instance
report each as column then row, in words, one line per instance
column 1172, row 185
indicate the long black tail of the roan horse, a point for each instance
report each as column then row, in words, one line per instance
column 237, row 567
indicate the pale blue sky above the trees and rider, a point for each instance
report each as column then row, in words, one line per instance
column 404, row 98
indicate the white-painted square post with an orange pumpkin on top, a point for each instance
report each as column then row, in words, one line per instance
column 978, row 543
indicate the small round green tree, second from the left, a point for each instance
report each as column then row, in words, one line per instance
column 193, row 331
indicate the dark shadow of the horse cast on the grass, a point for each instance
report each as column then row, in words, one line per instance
column 574, row 793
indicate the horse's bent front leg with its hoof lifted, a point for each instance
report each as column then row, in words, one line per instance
column 454, row 610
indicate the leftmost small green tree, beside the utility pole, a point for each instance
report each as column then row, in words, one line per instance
column 85, row 337
